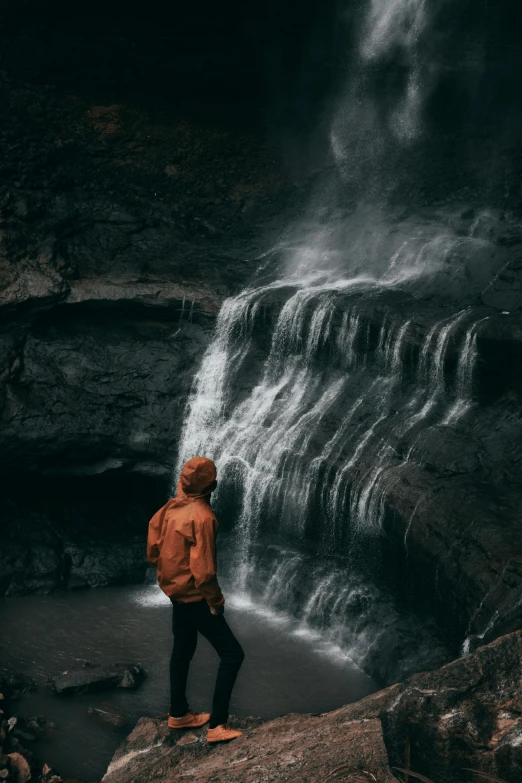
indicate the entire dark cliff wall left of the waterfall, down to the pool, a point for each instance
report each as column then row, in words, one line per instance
column 136, row 186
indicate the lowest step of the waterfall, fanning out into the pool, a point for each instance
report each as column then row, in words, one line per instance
column 346, row 612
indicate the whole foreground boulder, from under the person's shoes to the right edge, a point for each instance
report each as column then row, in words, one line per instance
column 466, row 715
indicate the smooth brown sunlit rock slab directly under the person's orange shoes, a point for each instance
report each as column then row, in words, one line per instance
column 297, row 747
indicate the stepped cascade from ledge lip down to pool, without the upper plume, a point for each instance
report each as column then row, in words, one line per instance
column 311, row 443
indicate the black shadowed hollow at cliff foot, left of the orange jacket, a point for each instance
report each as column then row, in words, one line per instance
column 76, row 531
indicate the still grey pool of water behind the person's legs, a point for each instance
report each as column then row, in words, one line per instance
column 287, row 668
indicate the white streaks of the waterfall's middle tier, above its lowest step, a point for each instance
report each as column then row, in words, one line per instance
column 306, row 435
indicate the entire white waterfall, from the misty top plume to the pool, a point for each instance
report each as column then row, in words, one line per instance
column 324, row 377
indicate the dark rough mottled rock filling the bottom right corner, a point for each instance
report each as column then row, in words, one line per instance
column 467, row 714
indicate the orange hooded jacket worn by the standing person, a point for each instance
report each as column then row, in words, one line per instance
column 182, row 538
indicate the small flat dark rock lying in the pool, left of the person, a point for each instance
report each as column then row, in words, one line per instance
column 94, row 677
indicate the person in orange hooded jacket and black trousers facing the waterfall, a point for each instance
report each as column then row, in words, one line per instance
column 182, row 545
